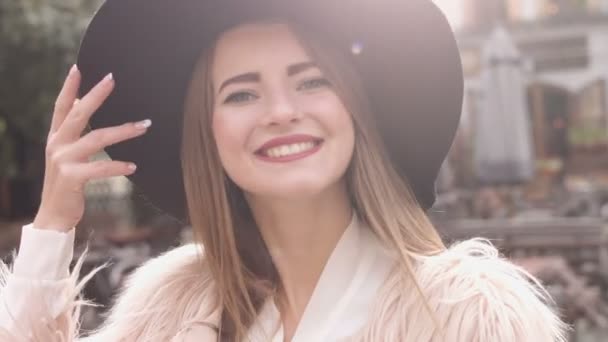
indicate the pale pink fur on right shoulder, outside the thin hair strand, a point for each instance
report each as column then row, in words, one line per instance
column 481, row 296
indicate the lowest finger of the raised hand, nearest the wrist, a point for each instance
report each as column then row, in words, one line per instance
column 99, row 169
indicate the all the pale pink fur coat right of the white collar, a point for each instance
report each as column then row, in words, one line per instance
column 475, row 295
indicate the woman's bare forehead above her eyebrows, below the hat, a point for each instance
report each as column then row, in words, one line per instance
column 256, row 47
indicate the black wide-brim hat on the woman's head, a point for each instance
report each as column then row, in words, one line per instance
column 404, row 50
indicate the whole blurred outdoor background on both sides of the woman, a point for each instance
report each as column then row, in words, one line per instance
column 528, row 168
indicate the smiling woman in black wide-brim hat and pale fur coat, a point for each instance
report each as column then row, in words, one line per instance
column 311, row 134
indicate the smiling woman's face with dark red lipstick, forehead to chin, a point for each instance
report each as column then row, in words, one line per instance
column 280, row 128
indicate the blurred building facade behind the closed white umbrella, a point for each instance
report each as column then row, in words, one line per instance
column 564, row 49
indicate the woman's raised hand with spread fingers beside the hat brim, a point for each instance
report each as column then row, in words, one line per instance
column 67, row 166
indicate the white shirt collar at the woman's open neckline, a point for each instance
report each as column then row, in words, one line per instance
column 342, row 299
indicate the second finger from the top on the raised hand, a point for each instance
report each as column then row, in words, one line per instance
column 78, row 118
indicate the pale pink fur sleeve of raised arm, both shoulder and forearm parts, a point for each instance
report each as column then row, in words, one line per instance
column 169, row 298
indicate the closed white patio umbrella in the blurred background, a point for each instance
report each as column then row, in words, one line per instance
column 503, row 141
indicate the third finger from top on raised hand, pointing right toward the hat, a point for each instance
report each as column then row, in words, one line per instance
column 99, row 139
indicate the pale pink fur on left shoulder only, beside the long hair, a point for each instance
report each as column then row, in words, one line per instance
column 169, row 298
